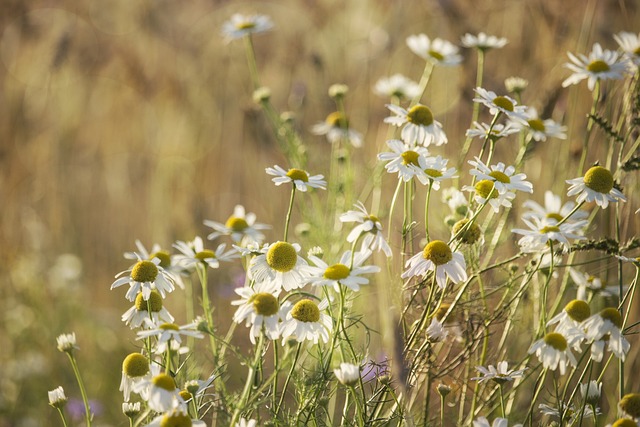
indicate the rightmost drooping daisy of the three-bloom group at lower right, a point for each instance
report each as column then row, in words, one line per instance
column 605, row 328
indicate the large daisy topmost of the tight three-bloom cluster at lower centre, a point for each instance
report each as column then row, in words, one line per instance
column 279, row 263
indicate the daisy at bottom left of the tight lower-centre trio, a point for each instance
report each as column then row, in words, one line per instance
column 260, row 308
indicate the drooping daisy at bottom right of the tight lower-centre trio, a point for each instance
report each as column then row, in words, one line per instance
column 305, row 320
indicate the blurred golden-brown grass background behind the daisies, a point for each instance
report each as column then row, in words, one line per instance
column 123, row 120
